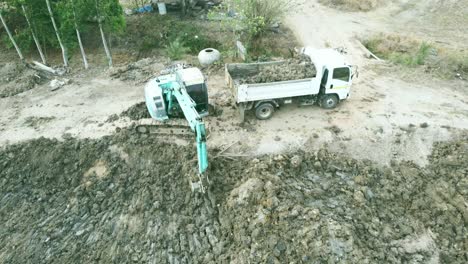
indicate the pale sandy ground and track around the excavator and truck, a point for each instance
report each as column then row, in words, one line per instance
column 384, row 119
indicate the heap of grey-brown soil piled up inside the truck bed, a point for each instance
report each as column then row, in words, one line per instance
column 300, row 67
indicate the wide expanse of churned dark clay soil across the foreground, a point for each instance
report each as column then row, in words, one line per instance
column 125, row 198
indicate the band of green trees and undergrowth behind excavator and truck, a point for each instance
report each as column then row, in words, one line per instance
column 140, row 35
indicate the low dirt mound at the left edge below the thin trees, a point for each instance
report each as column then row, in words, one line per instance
column 16, row 78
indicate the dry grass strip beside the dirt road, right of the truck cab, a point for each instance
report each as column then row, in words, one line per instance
column 442, row 62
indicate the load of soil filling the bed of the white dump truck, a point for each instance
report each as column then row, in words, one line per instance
column 300, row 67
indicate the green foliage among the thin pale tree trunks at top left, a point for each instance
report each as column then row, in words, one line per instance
column 72, row 17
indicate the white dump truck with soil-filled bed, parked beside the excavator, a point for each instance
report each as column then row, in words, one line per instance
column 329, row 84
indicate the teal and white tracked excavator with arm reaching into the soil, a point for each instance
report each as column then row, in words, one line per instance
column 180, row 92
